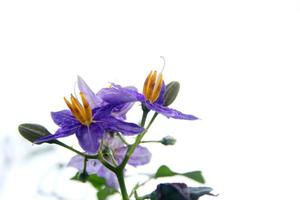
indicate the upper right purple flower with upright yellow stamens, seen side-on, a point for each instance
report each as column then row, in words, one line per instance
column 152, row 97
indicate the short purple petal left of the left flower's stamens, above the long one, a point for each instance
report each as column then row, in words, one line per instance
column 64, row 118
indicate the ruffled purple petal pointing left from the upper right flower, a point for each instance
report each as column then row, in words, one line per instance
column 120, row 95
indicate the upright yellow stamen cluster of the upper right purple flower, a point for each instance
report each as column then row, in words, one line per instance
column 152, row 86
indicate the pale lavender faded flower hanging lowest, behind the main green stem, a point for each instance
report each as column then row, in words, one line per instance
column 141, row 156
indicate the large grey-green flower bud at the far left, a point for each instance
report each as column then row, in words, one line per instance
column 32, row 132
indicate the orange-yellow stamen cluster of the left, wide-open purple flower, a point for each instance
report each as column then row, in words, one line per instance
column 82, row 112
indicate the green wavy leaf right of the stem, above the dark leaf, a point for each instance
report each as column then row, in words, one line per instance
column 165, row 171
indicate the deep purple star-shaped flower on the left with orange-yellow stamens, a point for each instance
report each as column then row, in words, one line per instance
column 88, row 124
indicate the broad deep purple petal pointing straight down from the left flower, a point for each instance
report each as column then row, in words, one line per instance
column 89, row 136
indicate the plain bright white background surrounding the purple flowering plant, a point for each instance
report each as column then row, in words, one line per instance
column 237, row 61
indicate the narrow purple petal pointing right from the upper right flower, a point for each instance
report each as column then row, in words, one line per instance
column 169, row 112
